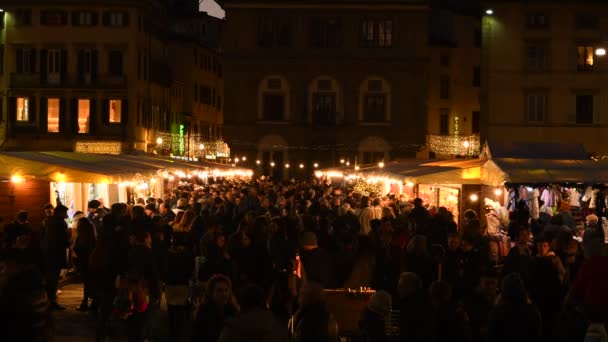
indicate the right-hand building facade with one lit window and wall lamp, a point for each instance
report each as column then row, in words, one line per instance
column 543, row 80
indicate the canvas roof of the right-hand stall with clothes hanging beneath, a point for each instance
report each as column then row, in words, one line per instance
column 533, row 171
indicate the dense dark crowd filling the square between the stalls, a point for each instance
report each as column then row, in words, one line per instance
column 238, row 260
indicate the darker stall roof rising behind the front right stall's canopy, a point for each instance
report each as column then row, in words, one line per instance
column 534, row 150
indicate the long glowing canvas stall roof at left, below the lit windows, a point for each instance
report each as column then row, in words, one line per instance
column 70, row 167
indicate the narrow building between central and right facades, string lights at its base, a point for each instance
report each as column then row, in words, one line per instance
column 454, row 81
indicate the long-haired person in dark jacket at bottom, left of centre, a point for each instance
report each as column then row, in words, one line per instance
column 218, row 306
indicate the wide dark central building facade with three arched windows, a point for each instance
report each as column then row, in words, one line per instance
column 315, row 83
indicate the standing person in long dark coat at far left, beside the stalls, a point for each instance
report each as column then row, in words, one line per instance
column 54, row 248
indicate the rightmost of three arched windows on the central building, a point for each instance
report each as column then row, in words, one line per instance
column 375, row 100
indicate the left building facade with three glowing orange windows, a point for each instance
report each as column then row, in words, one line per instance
column 90, row 77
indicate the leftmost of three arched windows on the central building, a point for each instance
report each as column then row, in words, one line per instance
column 273, row 99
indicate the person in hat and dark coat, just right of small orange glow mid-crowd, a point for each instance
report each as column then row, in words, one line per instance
column 316, row 262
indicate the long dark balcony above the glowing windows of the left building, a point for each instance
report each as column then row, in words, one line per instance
column 34, row 80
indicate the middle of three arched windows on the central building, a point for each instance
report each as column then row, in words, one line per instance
column 324, row 102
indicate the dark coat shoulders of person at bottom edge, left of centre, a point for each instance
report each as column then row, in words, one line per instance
column 256, row 325
